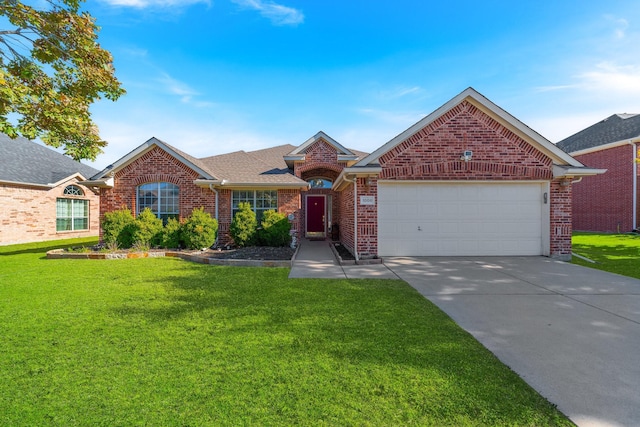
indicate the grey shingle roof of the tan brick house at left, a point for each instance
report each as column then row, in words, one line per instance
column 24, row 161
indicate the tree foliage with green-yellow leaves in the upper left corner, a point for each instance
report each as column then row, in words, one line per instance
column 51, row 70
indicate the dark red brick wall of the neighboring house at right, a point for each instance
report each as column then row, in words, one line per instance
column 605, row 202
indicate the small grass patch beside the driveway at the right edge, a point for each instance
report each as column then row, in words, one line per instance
column 616, row 253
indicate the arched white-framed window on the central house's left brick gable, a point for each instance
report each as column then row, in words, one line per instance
column 163, row 198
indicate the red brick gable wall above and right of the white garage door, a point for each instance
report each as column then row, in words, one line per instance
column 434, row 153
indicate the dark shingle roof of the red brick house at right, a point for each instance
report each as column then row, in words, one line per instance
column 615, row 128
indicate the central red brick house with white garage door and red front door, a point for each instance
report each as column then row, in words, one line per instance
column 468, row 179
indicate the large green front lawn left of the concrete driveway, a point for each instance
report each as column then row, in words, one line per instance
column 168, row 342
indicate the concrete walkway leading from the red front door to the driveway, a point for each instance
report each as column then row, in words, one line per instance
column 315, row 259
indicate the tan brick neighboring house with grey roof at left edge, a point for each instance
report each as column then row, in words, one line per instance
column 40, row 198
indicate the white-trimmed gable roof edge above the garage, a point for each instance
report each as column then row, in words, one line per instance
column 472, row 96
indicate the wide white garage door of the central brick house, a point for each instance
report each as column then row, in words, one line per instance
column 458, row 219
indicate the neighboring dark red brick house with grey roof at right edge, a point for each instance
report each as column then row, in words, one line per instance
column 608, row 202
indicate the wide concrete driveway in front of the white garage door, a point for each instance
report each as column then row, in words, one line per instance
column 572, row 333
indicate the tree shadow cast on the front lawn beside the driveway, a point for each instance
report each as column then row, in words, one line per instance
column 372, row 337
